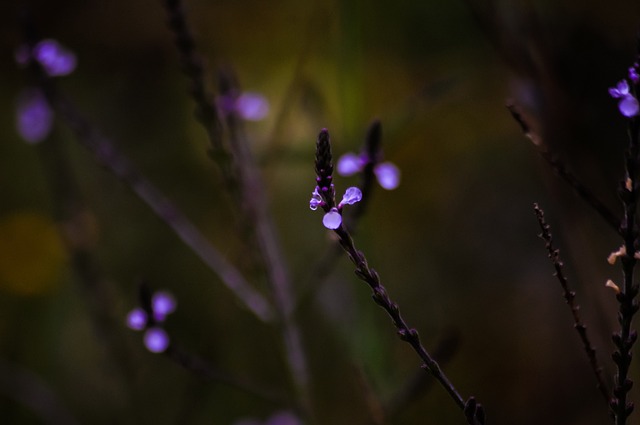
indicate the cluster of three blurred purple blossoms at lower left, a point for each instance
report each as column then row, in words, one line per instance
column 155, row 338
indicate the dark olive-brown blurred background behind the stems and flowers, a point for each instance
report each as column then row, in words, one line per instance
column 455, row 244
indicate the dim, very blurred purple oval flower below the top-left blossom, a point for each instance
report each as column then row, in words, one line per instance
column 34, row 116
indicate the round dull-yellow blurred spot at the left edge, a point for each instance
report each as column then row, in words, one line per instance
column 31, row 253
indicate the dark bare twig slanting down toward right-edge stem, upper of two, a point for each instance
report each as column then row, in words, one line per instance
column 560, row 168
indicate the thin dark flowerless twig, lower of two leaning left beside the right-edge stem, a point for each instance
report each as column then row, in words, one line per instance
column 569, row 296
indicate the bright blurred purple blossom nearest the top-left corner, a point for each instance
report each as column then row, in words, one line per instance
column 56, row 59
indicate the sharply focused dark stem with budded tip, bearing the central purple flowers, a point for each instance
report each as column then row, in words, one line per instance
column 324, row 171
